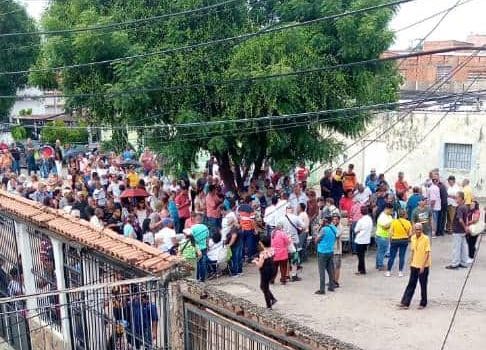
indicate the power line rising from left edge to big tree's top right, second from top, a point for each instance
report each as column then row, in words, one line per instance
column 213, row 42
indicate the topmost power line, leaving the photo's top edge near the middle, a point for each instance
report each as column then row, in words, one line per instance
column 119, row 24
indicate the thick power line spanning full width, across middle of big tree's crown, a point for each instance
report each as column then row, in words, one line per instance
column 247, row 79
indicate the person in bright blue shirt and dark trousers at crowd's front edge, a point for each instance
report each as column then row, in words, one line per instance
column 325, row 242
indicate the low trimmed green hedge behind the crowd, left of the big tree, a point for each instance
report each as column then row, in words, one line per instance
column 58, row 130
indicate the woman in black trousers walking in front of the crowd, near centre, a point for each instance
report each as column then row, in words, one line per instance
column 265, row 264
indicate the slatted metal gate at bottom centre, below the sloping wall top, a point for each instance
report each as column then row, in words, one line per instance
column 205, row 329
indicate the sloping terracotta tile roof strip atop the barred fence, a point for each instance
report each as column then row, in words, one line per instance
column 106, row 241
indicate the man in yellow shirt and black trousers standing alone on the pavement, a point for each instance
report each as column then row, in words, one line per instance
column 419, row 267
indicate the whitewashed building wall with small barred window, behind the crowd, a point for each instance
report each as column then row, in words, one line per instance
column 454, row 142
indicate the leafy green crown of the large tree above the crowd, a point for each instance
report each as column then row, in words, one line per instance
column 236, row 145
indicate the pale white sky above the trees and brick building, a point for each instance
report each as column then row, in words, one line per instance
column 461, row 22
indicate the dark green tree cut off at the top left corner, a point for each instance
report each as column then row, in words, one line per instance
column 16, row 53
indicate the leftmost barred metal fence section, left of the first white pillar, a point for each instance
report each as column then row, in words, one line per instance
column 14, row 327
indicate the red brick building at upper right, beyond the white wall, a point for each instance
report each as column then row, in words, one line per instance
column 419, row 73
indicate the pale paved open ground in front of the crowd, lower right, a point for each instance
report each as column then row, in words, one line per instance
column 363, row 311
